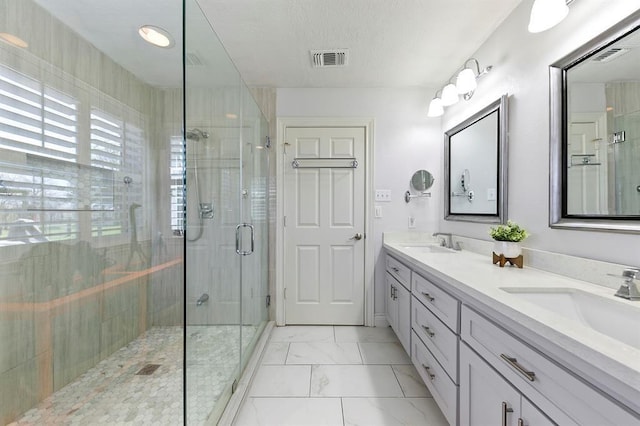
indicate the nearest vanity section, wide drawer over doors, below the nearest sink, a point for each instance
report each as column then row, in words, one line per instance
column 558, row 393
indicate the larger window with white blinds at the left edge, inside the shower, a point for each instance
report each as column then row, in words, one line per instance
column 38, row 174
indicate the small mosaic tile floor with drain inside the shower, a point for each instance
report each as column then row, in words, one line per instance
column 112, row 394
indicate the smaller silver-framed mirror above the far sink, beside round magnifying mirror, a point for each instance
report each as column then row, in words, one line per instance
column 476, row 166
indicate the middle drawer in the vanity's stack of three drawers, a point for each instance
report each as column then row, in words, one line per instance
column 441, row 341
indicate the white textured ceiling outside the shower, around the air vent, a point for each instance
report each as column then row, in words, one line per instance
column 392, row 43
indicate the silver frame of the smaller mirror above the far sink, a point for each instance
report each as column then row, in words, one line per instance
column 500, row 105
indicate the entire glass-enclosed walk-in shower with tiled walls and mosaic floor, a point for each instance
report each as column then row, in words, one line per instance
column 122, row 297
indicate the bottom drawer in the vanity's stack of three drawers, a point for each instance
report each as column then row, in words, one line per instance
column 443, row 390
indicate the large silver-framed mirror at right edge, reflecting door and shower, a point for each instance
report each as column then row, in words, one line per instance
column 595, row 133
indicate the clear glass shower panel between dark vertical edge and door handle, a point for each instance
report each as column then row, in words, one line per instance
column 213, row 141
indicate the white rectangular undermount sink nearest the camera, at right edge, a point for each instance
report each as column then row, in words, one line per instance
column 609, row 317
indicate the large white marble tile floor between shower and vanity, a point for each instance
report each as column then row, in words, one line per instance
column 337, row 375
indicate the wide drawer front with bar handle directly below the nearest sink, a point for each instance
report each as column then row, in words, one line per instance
column 557, row 392
